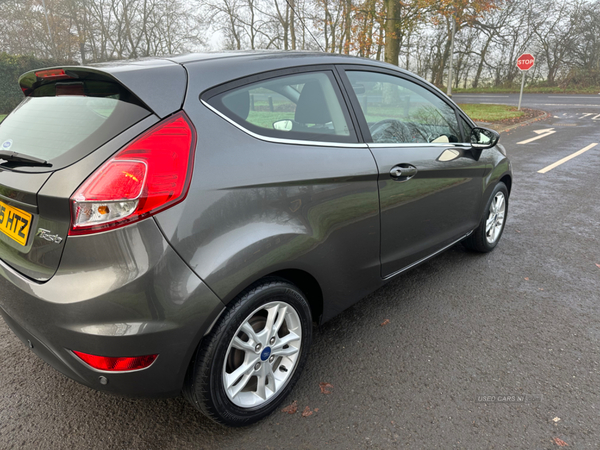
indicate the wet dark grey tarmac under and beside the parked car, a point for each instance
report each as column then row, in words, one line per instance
column 481, row 351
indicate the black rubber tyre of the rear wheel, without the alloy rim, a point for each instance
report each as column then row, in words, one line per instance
column 209, row 389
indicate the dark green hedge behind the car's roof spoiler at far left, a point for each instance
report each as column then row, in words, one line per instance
column 11, row 68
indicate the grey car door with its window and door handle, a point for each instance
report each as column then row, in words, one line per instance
column 429, row 178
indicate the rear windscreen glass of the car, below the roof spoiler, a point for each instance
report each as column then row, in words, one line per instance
column 65, row 121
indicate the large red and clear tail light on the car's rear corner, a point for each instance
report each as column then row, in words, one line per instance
column 149, row 175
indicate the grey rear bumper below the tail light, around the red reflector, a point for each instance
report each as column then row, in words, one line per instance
column 120, row 293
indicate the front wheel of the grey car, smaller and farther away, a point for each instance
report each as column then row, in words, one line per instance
column 487, row 235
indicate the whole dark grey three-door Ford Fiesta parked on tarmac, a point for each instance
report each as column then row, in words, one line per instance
column 177, row 225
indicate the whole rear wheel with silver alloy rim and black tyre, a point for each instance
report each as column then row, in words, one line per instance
column 252, row 358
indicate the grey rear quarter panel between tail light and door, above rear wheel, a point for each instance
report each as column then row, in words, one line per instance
column 257, row 207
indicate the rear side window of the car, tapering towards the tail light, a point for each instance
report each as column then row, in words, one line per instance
column 305, row 106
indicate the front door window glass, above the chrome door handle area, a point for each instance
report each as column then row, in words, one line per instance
column 401, row 112
